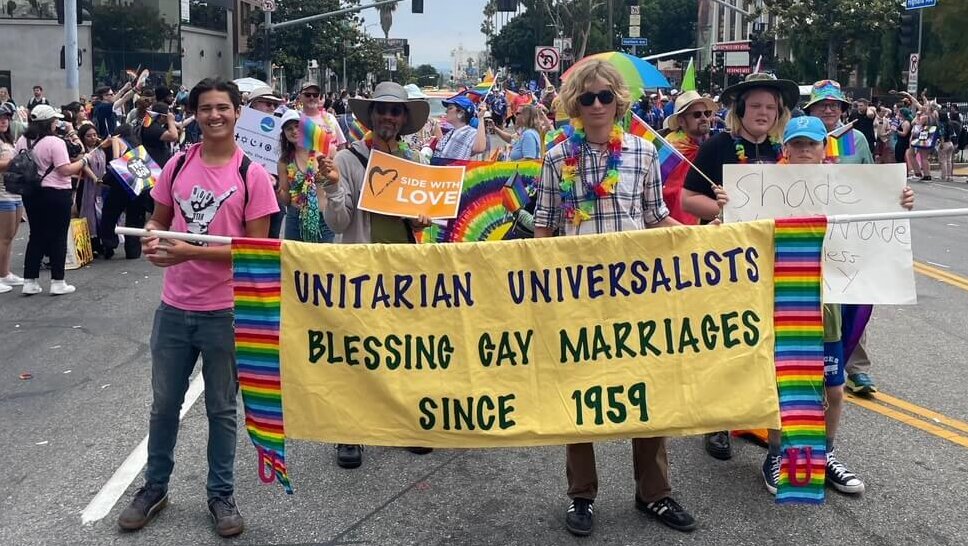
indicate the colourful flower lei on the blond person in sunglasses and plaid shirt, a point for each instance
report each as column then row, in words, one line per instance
column 578, row 204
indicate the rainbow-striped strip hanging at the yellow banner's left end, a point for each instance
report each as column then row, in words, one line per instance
column 256, row 283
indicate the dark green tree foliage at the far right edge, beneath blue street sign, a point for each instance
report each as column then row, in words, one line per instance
column 944, row 57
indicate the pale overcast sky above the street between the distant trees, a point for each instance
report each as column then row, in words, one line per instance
column 444, row 25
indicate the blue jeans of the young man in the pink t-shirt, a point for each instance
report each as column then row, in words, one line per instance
column 177, row 339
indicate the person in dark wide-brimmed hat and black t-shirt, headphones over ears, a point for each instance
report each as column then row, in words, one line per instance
column 759, row 112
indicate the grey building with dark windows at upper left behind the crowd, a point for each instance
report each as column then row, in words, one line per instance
column 178, row 41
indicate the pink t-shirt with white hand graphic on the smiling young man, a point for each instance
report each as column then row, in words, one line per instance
column 209, row 200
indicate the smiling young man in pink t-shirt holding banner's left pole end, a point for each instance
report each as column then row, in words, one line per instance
column 205, row 191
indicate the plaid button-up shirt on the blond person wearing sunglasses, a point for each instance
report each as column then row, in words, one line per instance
column 636, row 203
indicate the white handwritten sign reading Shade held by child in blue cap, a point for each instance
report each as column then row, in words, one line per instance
column 864, row 262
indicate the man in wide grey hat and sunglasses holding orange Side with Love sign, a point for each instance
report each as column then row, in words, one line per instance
column 390, row 114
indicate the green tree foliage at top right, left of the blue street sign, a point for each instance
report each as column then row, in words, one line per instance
column 837, row 28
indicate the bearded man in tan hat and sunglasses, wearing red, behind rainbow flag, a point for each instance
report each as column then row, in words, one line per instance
column 690, row 123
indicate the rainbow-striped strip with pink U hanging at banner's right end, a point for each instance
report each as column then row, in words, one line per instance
column 798, row 323
